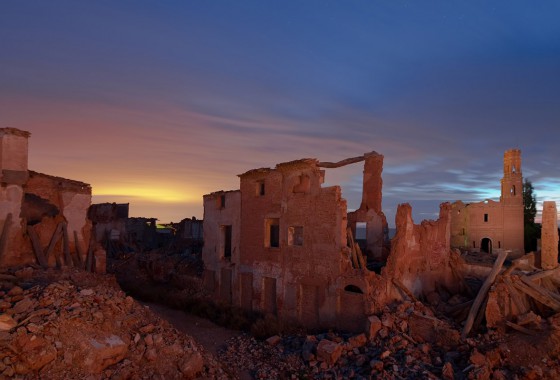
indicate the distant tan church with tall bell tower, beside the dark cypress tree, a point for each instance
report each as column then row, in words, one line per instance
column 491, row 226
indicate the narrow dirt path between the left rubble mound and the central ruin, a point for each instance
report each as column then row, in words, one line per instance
column 211, row 336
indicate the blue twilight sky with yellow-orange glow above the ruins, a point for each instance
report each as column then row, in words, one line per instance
column 156, row 103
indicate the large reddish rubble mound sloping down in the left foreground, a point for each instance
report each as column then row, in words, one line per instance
column 75, row 325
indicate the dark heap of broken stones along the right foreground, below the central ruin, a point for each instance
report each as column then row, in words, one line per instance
column 406, row 341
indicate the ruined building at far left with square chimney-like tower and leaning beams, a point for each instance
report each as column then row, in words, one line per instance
column 43, row 218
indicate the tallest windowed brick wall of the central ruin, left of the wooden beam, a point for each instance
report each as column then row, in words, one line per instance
column 291, row 279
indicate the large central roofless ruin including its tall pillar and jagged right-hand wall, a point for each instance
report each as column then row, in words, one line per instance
column 283, row 244
